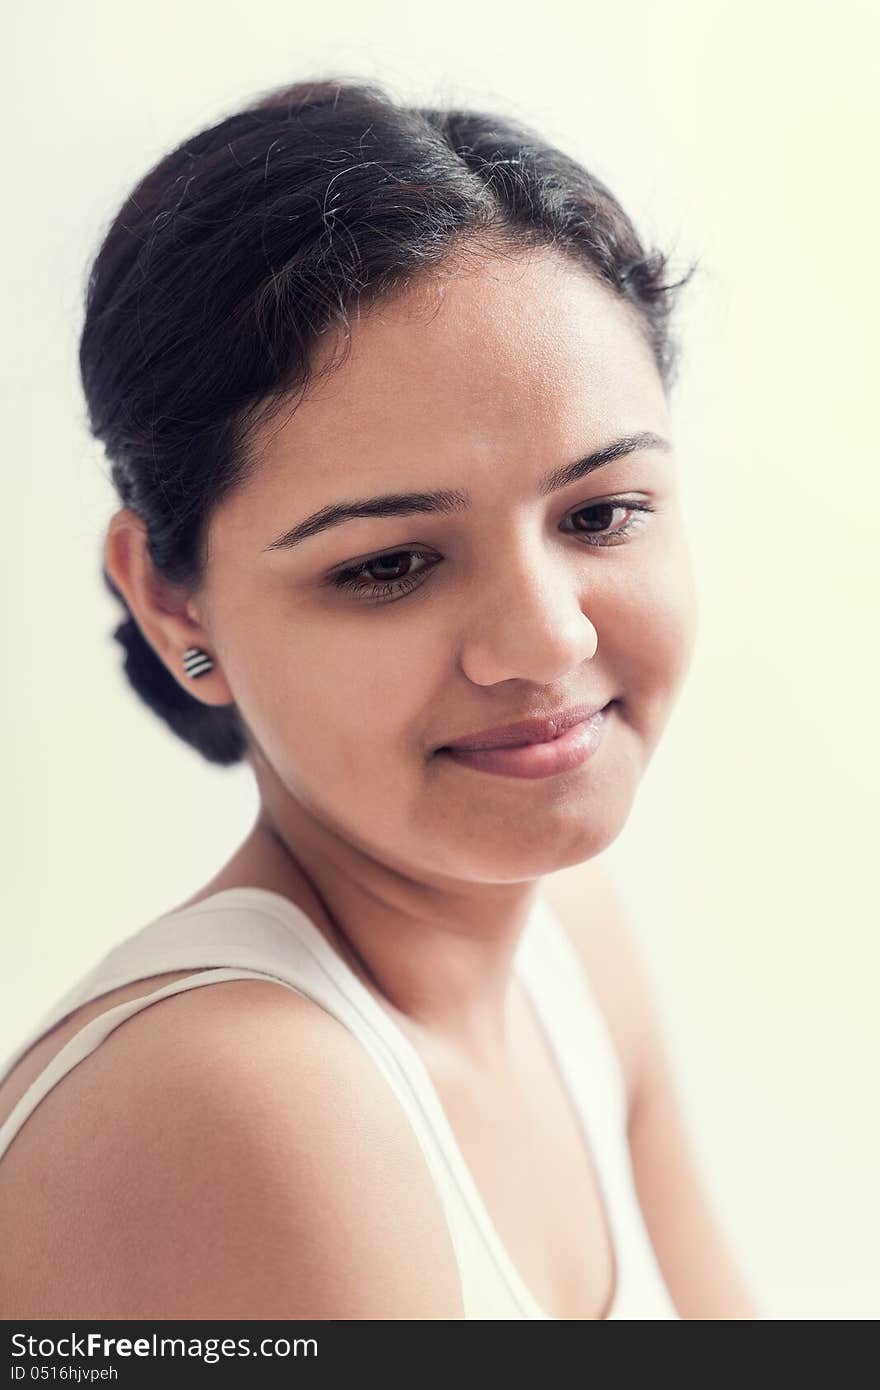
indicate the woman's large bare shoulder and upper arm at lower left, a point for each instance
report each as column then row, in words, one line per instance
column 231, row 1152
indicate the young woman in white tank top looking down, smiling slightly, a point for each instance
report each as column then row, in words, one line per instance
column 386, row 393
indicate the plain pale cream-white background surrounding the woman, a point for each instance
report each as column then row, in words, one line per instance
column 744, row 134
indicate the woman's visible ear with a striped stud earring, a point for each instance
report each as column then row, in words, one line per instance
column 166, row 615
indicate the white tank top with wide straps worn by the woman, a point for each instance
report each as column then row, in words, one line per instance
column 255, row 933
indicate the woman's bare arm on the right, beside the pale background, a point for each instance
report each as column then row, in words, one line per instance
column 697, row 1264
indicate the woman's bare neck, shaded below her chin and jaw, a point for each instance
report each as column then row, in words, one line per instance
column 439, row 956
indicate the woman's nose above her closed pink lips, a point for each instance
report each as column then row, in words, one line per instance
column 526, row 622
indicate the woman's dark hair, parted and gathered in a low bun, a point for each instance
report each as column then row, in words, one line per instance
column 227, row 261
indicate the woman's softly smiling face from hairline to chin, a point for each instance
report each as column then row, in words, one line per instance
column 515, row 604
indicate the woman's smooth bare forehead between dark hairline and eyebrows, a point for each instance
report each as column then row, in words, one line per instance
column 487, row 361
